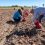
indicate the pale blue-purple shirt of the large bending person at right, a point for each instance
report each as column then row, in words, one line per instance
column 38, row 12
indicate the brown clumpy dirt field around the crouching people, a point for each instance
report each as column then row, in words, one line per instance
column 19, row 35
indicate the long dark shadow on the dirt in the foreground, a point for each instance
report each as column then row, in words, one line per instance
column 27, row 32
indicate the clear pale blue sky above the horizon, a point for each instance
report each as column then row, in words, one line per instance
column 22, row 2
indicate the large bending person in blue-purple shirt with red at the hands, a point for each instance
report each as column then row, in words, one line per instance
column 38, row 15
